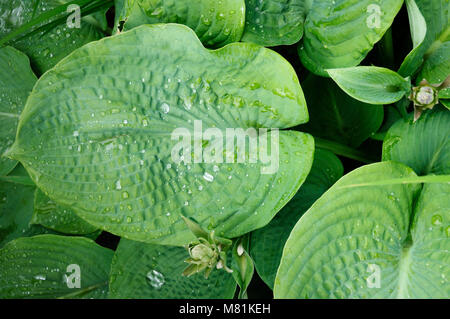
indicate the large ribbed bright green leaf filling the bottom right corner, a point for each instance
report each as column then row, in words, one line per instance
column 360, row 242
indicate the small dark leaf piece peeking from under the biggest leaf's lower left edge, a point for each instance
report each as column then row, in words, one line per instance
column 49, row 214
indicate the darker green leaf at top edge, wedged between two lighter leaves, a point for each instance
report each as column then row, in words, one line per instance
column 274, row 22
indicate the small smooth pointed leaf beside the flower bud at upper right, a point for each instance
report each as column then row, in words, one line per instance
column 370, row 84
